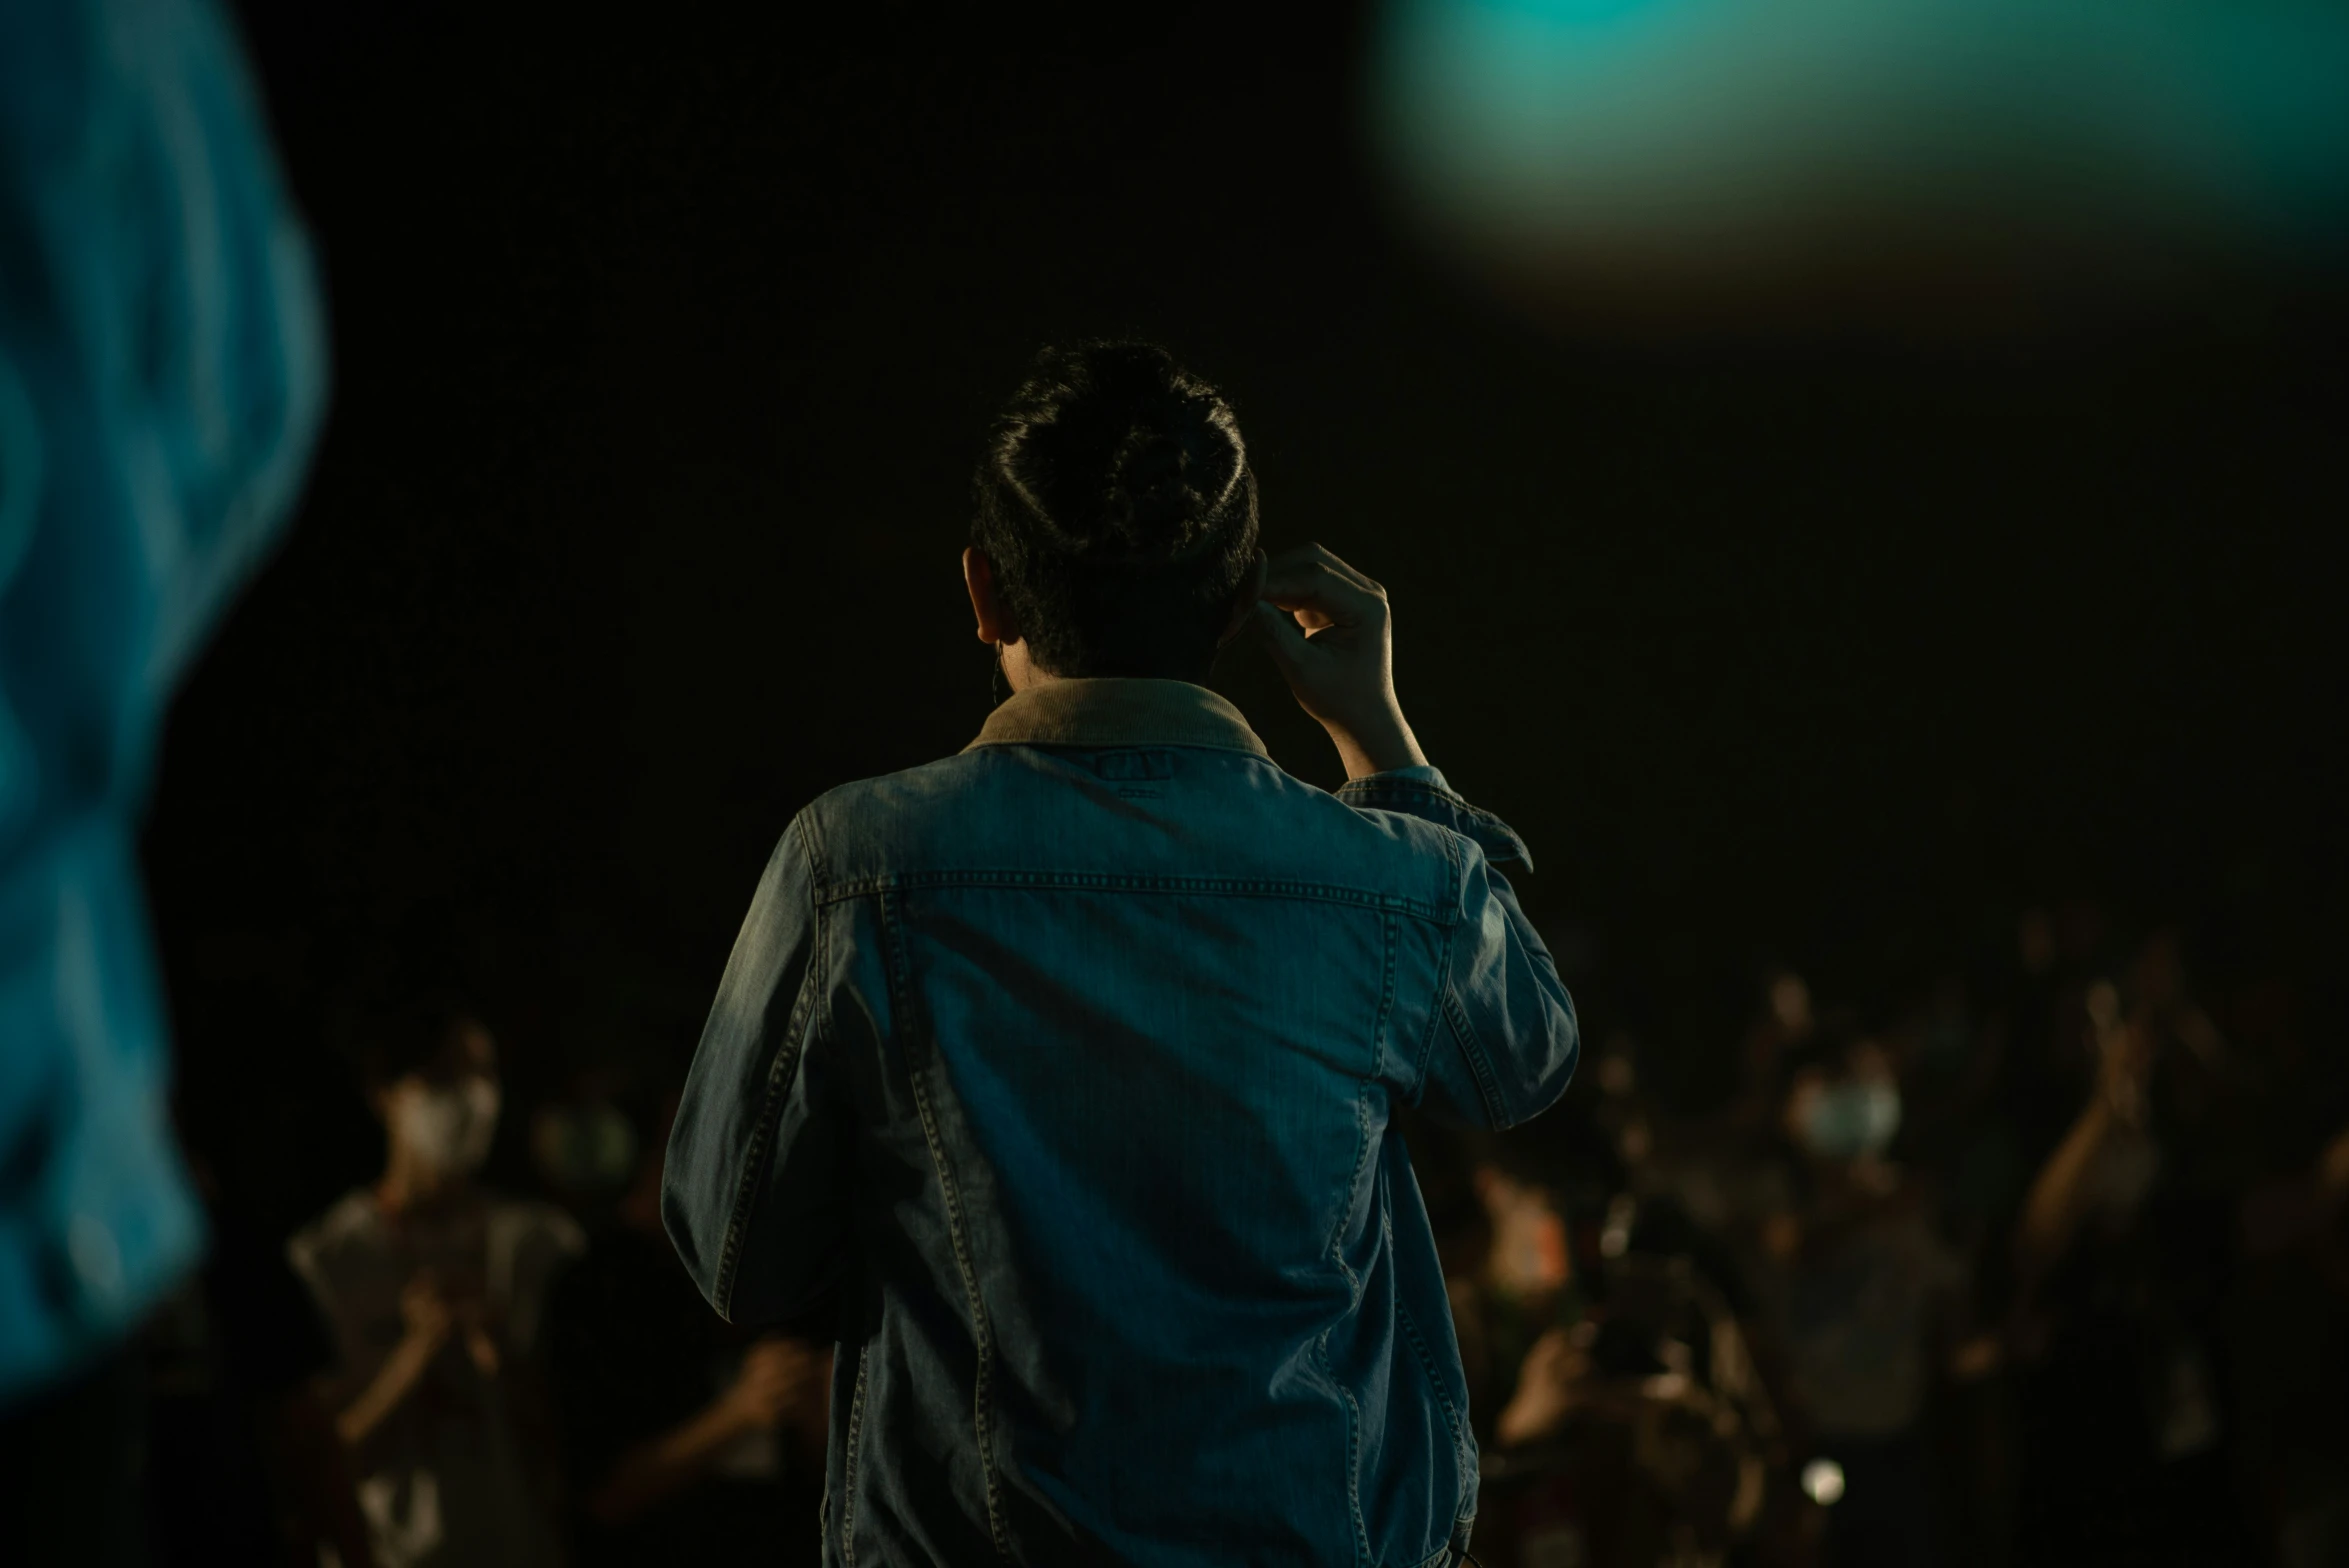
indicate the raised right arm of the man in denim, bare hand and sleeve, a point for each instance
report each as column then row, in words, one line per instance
column 1507, row 1036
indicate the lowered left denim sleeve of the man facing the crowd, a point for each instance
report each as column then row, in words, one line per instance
column 758, row 1177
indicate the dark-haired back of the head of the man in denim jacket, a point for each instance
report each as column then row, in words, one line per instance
column 1117, row 511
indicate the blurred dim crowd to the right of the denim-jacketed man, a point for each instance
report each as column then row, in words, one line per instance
column 2040, row 1264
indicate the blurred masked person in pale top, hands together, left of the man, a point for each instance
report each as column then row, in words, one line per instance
column 433, row 1287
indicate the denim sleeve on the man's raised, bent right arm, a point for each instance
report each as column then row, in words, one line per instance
column 1505, row 1039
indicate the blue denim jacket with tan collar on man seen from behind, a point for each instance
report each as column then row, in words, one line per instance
column 1068, row 1065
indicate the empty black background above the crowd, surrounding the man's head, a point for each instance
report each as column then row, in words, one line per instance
column 664, row 353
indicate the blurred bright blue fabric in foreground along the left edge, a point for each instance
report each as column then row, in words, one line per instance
column 161, row 386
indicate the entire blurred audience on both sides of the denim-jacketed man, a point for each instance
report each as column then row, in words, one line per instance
column 2040, row 1264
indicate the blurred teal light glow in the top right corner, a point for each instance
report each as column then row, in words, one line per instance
column 1688, row 121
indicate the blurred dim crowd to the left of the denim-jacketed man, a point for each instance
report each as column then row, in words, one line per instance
column 447, row 1372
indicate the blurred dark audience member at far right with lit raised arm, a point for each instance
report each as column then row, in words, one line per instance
column 2122, row 1252
